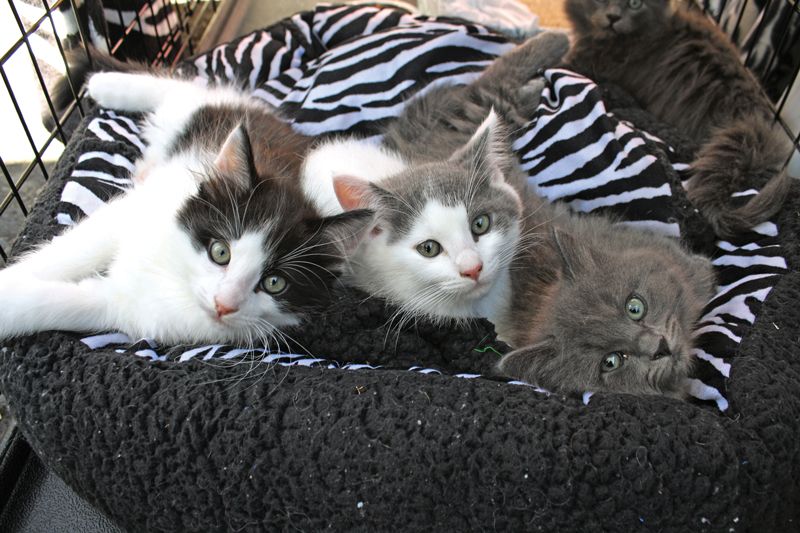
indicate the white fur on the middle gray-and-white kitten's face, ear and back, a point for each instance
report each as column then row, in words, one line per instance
column 395, row 270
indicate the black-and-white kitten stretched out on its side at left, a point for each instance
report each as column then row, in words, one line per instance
column 213, row 243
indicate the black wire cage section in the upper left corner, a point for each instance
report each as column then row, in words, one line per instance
column 35, row 38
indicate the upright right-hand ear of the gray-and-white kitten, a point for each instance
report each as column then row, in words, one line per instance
column 486, row 150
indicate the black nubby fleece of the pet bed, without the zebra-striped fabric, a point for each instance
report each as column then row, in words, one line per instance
column 215, row 446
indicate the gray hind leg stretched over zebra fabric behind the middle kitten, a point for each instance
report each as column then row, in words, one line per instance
column 518, row 66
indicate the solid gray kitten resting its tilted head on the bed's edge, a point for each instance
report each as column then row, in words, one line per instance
column 601, row 307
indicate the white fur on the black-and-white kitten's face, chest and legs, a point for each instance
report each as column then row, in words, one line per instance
column 131, row 267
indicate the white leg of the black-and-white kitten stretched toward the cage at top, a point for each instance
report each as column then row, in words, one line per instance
column 138, row 93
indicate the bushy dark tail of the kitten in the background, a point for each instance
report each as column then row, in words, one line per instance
column 728, row 164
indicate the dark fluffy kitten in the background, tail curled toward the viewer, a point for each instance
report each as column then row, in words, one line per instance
column 685, row 71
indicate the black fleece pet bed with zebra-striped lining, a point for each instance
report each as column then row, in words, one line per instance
column 383, row 429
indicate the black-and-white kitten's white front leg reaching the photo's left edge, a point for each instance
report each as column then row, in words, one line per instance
column 33, row 305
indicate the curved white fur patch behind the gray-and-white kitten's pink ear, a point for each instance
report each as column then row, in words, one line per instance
column 344, row 157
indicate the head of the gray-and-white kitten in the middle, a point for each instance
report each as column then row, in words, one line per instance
column 443, row 235
